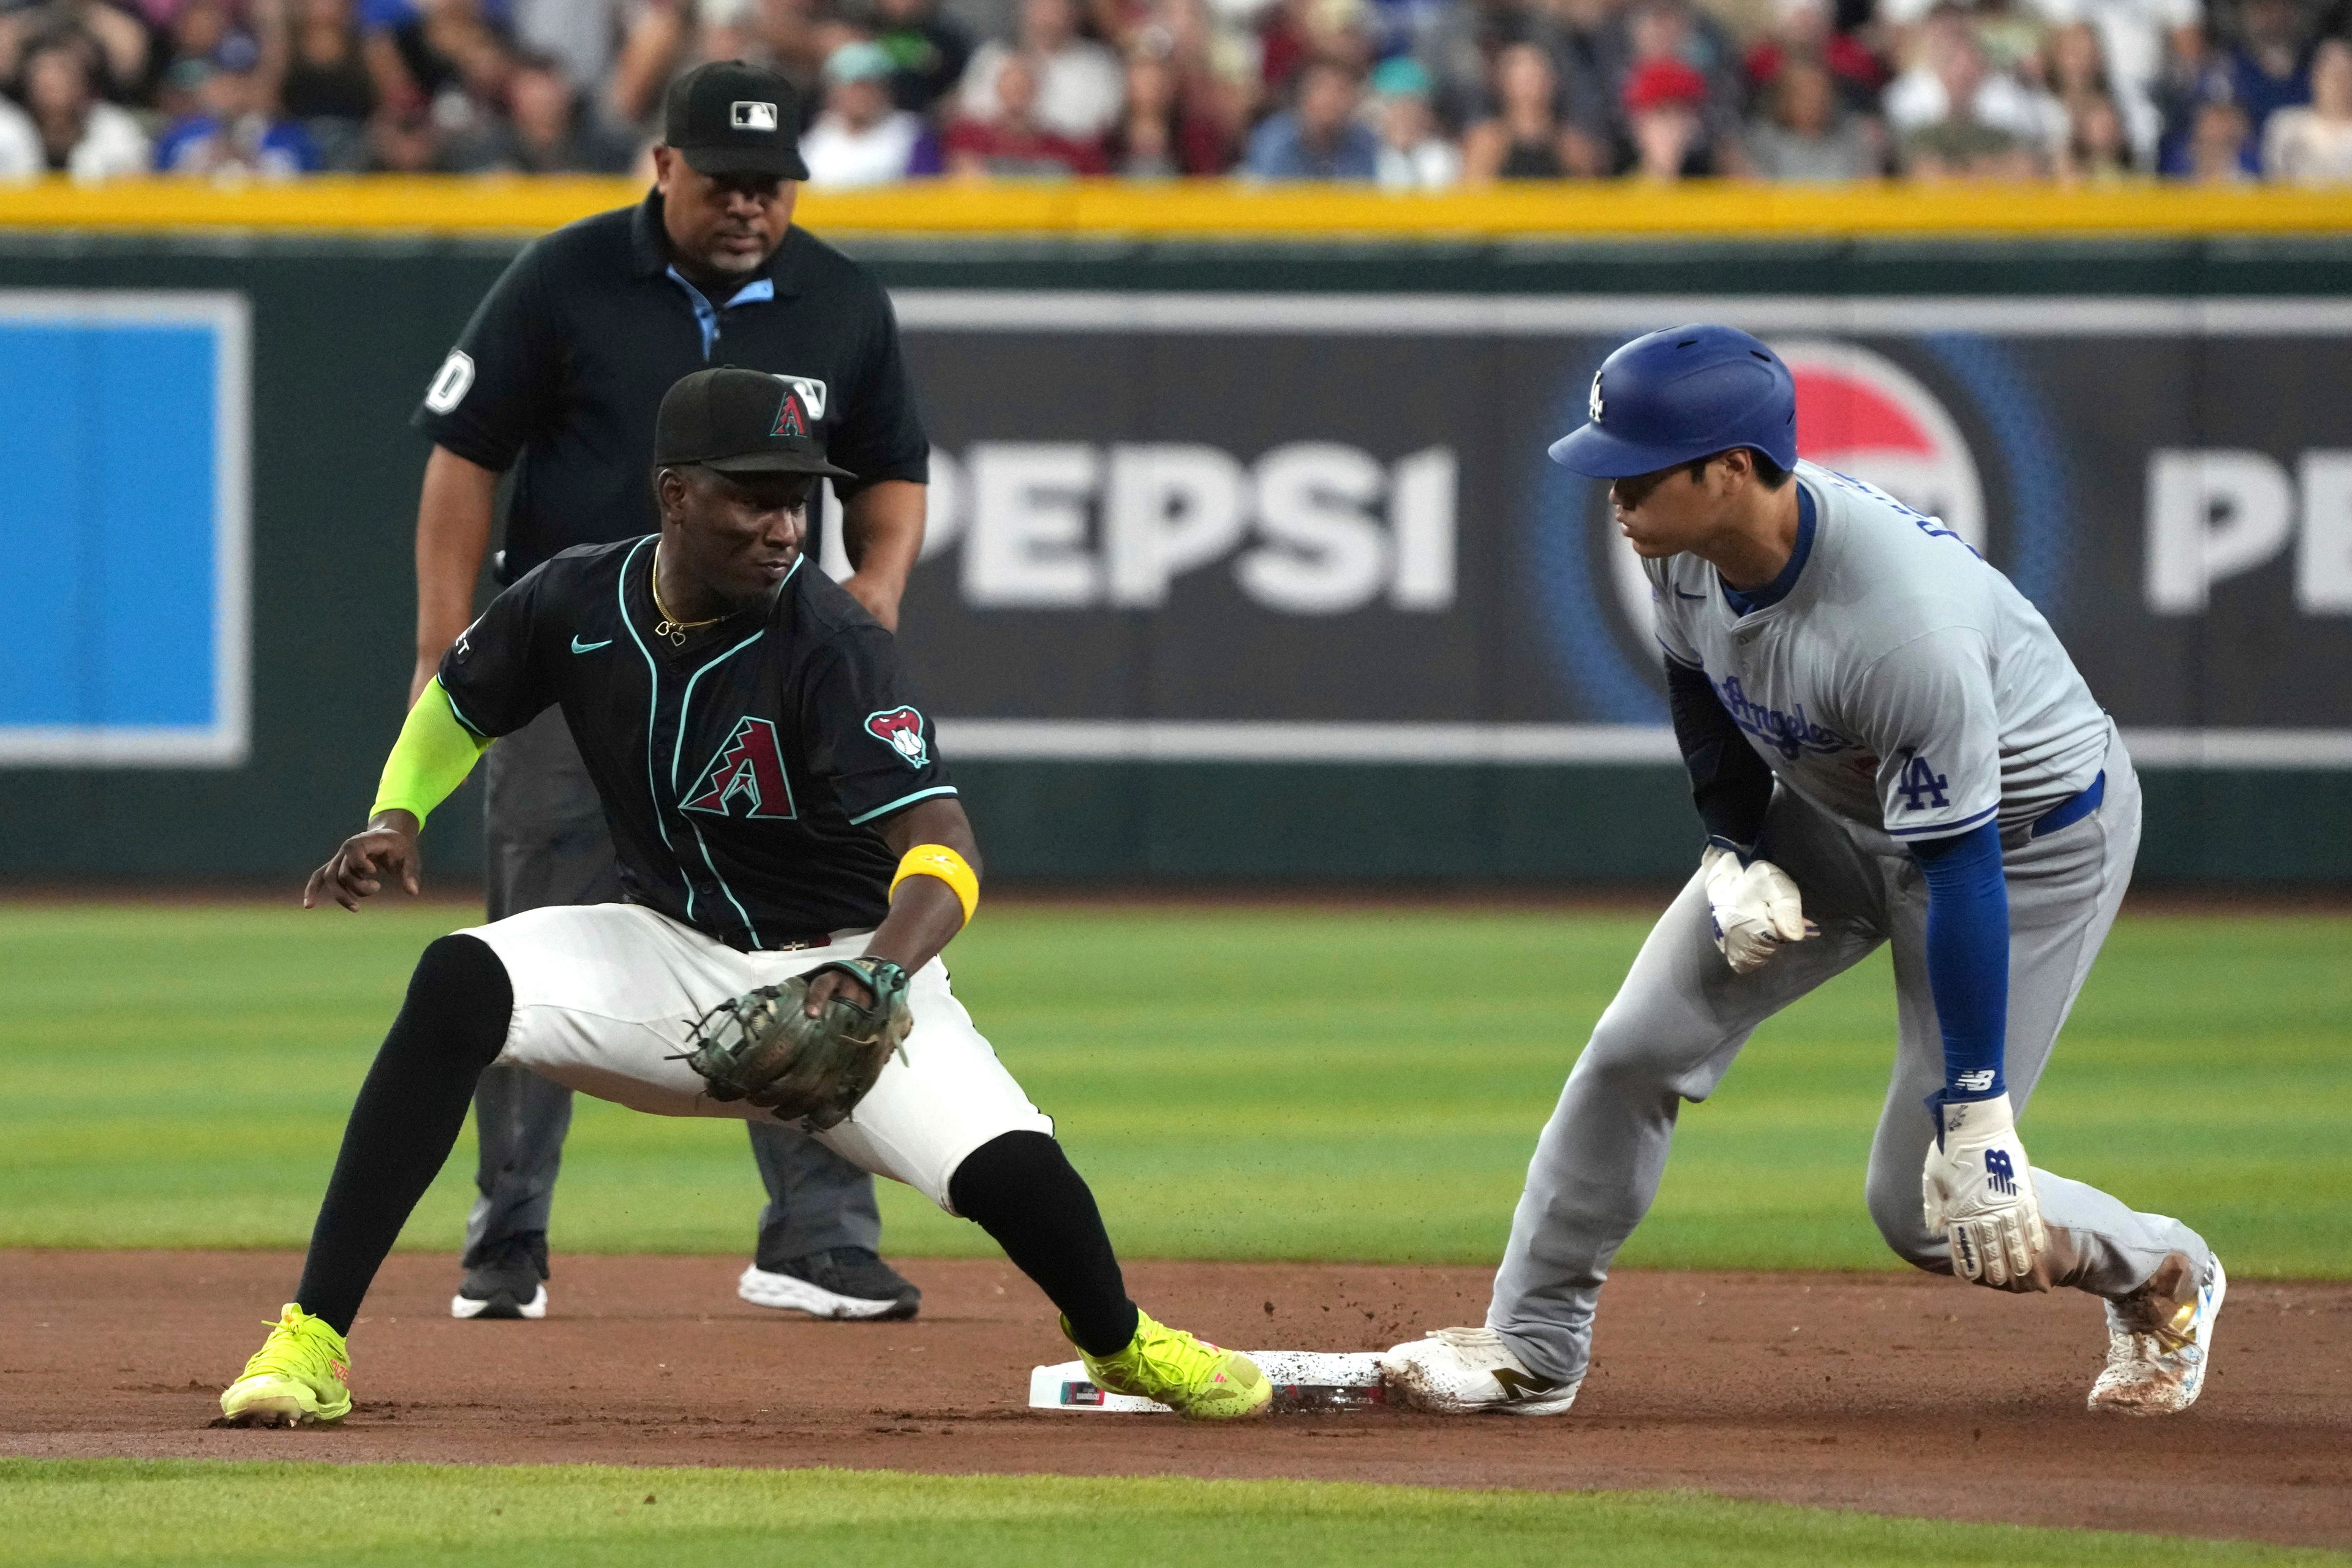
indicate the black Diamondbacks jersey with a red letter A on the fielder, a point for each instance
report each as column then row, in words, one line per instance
column 742, row 772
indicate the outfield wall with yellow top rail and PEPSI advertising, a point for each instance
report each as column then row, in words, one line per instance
column 1245, row 563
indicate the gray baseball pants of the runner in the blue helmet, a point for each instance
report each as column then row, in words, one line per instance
column 1683, row 1017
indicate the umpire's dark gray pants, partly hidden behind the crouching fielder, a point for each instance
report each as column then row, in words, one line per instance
column 549, row 845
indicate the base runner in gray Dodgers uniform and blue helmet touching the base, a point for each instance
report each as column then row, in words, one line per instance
column 1887, row 744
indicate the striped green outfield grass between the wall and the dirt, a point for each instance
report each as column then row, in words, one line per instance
column 1236, row 1085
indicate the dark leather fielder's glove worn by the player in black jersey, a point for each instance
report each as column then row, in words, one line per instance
column 763, row 1047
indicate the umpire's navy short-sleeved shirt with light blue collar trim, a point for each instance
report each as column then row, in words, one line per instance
column 568, row 356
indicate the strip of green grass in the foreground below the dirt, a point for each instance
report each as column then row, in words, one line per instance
column 580, row 1515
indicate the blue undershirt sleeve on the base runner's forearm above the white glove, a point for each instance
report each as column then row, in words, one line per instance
column 1967, row 958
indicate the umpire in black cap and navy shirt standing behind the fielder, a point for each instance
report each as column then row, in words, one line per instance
column 559, row 377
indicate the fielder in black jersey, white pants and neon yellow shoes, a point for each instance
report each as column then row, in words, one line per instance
column 780, row 810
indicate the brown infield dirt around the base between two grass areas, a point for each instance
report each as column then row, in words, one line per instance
column 1871, row 1393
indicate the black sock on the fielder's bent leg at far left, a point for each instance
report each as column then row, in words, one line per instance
column 406, row 1120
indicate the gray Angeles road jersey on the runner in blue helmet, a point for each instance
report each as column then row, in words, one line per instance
column 1902, row 683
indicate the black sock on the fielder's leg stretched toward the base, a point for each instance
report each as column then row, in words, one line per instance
column 1022, row 1191
